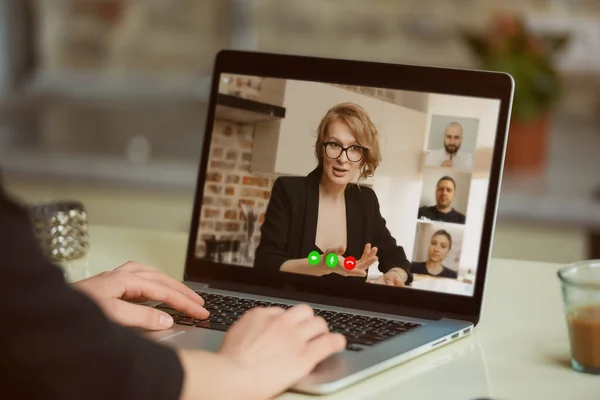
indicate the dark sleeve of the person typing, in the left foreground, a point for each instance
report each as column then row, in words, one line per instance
column 55, row 343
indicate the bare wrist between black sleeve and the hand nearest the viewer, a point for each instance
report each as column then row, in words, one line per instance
column 212, row 376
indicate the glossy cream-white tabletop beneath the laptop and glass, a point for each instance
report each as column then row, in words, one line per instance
column 519, row 350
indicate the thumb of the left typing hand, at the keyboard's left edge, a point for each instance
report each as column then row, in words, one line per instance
column 140, row 316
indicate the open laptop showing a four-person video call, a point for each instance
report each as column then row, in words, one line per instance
column 417, row 154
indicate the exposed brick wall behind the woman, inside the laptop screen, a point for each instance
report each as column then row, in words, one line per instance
column 229, row 182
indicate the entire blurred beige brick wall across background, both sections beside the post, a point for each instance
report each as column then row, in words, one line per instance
column 125, row 35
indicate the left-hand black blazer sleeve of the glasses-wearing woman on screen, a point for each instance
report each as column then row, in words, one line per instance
column 272, row 251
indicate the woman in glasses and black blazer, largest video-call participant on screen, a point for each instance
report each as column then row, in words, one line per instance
column 327, row 213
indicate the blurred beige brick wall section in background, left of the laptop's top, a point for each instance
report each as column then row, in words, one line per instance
column 124, row 36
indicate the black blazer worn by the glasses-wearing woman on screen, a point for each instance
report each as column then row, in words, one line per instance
column 290, row 226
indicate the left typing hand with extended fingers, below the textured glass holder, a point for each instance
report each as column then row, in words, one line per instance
column 133, row 282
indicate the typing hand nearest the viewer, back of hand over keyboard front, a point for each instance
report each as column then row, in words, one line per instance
column 272, row 348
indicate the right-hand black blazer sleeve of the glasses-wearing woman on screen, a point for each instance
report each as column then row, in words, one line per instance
column 390, row 254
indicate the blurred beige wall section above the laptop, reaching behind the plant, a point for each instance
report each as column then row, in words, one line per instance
column 409, row 31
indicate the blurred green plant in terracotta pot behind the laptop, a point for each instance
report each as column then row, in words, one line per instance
column 510, row 47
